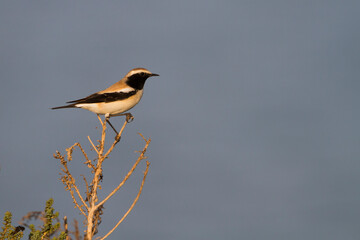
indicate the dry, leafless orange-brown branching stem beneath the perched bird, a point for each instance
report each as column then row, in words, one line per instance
column 88, row 204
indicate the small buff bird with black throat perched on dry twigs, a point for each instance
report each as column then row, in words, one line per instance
column 116, row 99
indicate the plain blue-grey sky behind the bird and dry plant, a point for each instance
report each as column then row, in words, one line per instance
column 254, row 118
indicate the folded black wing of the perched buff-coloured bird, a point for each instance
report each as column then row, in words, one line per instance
column 105, row 97
